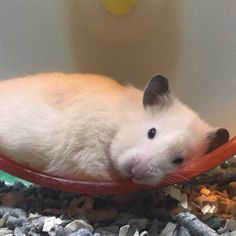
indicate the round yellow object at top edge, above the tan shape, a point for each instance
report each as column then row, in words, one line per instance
column 118, row 7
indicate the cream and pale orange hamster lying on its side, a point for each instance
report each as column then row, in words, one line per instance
column 84, row 126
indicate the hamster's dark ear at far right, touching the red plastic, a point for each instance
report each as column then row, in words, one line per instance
column 217, row 138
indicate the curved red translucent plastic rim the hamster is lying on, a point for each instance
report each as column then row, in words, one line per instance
column 189, row 170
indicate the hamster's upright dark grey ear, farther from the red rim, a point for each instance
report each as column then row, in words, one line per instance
column 157, row 92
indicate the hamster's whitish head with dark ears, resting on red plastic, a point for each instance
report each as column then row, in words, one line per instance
column 162, row 137
